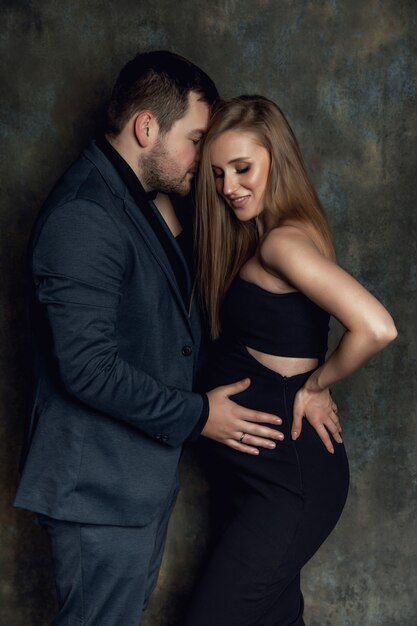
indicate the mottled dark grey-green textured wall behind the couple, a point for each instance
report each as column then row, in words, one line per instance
column 344, row 72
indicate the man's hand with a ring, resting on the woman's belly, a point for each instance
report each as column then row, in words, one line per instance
column 236, row 426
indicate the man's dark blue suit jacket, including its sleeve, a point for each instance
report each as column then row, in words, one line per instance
column 116, row 353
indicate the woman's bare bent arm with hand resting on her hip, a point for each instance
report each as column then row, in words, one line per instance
column 289, row 252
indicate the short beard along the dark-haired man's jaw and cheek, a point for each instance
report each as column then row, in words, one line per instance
column 160, row 172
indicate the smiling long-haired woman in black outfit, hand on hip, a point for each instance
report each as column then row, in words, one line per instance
column 269, row 282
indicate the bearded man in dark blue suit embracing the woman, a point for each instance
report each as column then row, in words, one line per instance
column 117, row 344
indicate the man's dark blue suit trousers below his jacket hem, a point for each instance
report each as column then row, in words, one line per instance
column 104, row 575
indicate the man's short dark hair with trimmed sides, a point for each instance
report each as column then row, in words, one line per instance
column 160, row 82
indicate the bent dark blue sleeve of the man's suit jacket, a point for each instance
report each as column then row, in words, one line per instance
column 78, row 266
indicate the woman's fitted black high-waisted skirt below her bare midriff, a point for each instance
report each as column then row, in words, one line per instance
column 275, row 509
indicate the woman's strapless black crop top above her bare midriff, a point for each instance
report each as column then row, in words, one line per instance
column 283, row 324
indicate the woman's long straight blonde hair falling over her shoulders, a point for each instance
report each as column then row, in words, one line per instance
column 224, row 243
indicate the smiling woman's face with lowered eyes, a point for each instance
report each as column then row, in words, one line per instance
column 241, row 168
